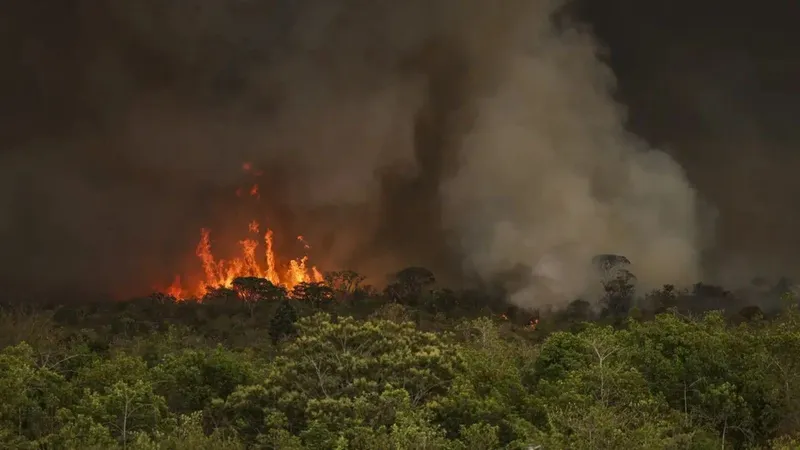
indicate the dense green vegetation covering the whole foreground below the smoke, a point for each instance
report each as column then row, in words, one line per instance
column 338, row 365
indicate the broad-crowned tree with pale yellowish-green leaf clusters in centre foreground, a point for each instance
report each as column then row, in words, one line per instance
column 330, row 379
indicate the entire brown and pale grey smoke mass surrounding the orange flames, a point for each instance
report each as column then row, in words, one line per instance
column 466, row 136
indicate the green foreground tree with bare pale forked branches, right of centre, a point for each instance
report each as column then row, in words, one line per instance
column 598, row 400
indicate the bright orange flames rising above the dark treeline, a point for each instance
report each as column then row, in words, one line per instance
column 221, row 273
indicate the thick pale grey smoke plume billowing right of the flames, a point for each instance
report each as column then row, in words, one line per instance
column 549, row 176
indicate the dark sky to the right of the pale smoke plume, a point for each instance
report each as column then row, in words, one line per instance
column 716, row 84
